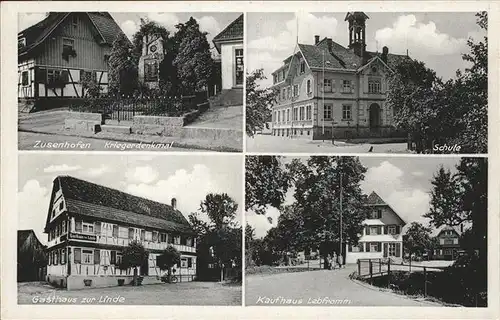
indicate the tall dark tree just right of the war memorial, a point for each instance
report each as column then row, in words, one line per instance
column 194, row 61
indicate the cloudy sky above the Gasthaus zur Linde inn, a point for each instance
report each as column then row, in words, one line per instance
column 187, row 178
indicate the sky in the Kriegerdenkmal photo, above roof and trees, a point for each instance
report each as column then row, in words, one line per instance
column 212, row 22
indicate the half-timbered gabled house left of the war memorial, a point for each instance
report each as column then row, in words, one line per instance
column 58, row 53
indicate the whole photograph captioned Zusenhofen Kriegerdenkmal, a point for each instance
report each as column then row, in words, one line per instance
column 128, row 81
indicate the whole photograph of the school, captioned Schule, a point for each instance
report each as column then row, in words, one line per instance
column 360, row 82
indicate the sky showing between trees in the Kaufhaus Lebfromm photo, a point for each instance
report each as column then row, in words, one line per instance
column 402, row 182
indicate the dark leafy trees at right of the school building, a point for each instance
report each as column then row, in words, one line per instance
column 437, row 112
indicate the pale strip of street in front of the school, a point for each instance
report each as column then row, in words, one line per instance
column 269, row 143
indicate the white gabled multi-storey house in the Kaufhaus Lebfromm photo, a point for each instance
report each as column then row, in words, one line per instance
column 382, row 233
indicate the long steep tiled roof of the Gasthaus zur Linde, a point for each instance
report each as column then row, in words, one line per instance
column 90, row 199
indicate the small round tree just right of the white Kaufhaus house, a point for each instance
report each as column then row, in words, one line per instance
column 418, row 240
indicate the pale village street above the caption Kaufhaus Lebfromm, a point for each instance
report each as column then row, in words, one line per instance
column 320, row 288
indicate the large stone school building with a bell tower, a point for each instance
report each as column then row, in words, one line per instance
column 329, row 91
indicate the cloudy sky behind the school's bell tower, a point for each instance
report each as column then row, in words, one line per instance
column 436, row 38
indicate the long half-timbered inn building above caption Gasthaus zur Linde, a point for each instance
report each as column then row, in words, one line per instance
column 88, row 226
